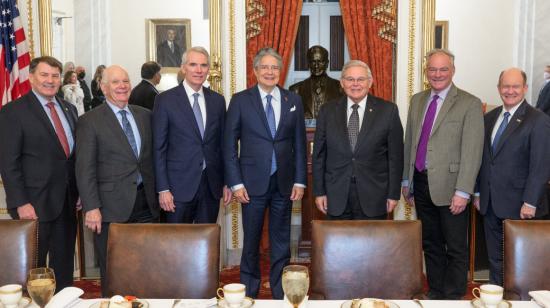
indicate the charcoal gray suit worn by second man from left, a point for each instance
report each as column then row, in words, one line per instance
column 107, row 172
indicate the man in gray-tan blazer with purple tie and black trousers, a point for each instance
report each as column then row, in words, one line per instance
column 443, row 147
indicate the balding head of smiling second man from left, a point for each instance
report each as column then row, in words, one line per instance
column 115, row 85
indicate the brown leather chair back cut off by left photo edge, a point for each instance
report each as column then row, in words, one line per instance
column 18, row 250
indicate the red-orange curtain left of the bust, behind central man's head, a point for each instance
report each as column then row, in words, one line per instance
column 278, row 28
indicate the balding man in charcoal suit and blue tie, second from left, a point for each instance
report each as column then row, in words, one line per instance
column 114, row 164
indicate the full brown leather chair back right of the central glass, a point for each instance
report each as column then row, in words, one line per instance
column 357, row 259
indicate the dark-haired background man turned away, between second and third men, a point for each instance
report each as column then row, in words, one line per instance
column 145, row 92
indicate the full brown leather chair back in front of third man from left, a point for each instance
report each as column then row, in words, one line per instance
column 163, row 260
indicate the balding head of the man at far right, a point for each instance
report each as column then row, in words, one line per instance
column 512, row 87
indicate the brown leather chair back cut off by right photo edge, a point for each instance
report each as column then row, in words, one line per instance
column 526, row 257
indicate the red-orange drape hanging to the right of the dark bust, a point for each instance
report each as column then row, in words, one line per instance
column 365, row 44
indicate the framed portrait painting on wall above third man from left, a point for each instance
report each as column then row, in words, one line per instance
column 168, row 39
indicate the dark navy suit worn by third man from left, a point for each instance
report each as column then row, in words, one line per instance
column 179, row 153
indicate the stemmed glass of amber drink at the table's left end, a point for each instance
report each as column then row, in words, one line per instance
column 41, row 285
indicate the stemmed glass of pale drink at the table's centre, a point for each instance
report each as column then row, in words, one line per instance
column 295, row 283
